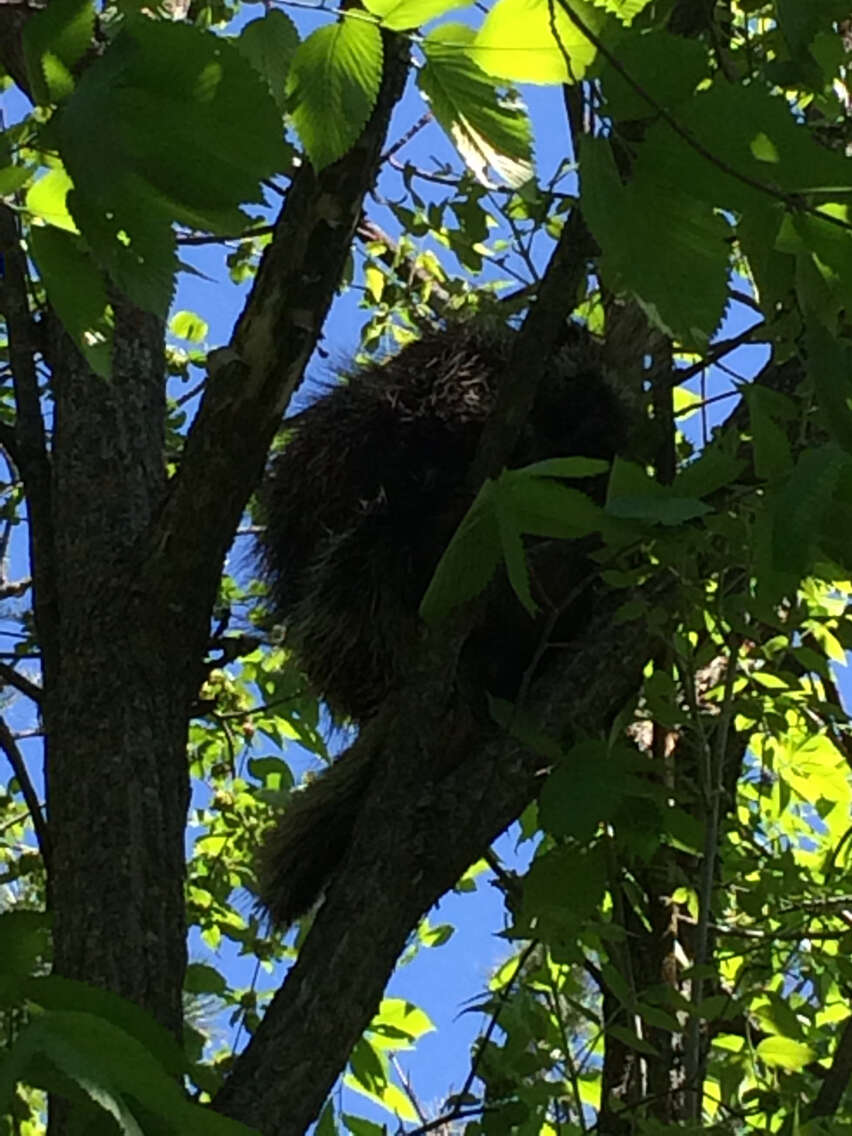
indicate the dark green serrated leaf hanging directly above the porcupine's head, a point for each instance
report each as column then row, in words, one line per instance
column 671, row 250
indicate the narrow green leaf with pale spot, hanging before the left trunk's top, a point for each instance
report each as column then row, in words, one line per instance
column 78, row 293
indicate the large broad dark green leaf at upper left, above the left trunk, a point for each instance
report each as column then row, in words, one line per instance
column 171, row 124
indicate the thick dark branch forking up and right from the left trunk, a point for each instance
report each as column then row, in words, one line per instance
column 253, row 380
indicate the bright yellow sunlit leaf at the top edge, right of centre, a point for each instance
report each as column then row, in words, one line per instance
column 516, row 41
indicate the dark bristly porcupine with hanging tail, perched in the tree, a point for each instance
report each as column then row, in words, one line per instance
column 360, row 507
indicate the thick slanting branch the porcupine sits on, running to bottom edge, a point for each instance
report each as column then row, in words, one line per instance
column 421, row 826
